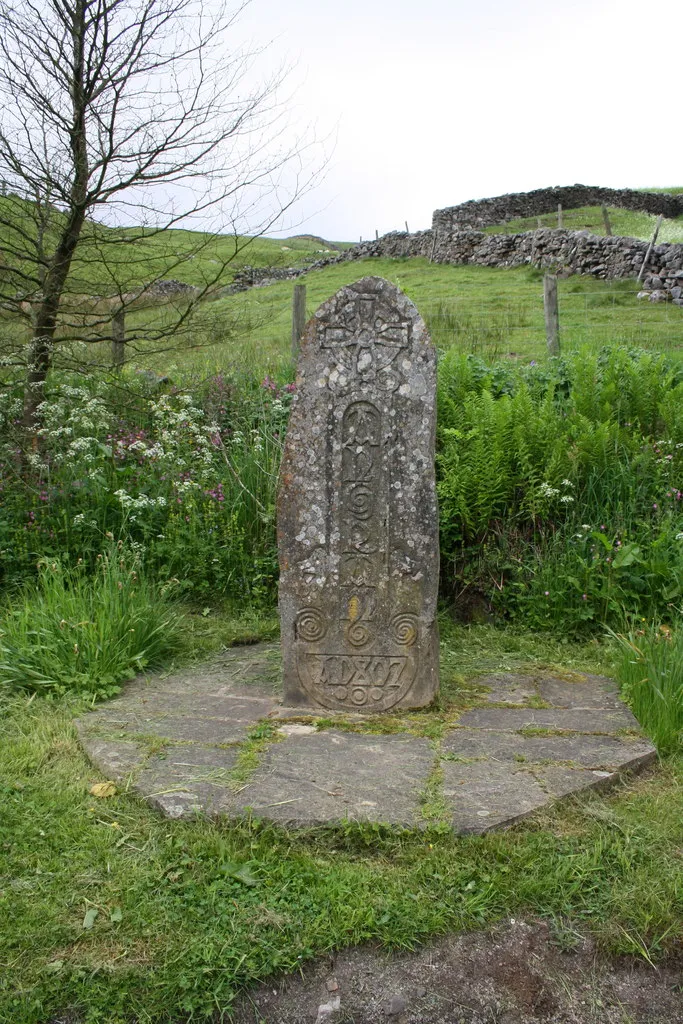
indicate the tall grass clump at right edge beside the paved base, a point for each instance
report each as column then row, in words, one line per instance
column 652, row 675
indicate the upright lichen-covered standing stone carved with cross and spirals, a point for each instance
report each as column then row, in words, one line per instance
column 357, row 509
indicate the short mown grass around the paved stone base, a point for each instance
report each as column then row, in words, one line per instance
column 109, row 912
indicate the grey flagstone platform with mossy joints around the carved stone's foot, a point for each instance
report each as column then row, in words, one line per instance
column 217, row 741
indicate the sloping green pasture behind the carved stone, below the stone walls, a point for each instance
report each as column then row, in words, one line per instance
column 493, row 313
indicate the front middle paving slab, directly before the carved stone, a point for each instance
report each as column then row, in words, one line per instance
column 332, row 776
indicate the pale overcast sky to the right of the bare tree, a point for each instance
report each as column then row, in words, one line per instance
column 434, row 103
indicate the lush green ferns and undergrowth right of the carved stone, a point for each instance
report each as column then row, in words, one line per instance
column 562, row 488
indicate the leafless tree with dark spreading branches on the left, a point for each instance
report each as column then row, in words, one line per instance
column 122, row 119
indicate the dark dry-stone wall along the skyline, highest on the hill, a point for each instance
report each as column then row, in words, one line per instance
column 487, row 212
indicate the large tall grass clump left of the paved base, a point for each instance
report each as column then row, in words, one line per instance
column 84, row 634
